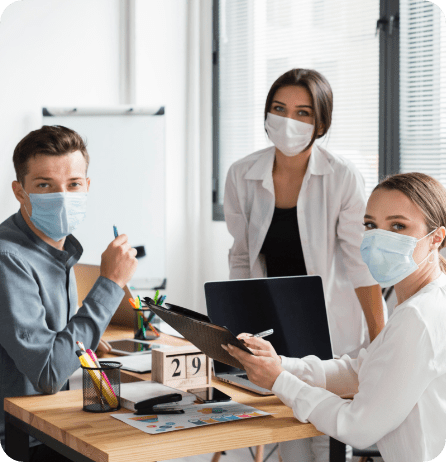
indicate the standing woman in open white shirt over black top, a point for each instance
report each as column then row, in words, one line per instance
column 296, row 209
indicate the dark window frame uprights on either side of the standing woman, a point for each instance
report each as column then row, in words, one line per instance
column 389, row 96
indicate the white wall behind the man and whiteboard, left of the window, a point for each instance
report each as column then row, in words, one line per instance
column 65, row 53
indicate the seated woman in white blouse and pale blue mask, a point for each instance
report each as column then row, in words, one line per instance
column 399, row 381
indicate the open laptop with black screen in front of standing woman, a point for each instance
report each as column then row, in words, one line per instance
column 293, row 306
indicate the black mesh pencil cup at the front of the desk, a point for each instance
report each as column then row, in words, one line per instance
column 101, row 387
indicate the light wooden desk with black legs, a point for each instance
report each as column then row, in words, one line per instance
column 59, row 422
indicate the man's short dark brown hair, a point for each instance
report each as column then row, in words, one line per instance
column 50, row 140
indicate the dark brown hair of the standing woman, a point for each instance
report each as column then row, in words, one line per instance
column 320, row 92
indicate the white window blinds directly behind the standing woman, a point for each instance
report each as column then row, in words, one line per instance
column 261, row 39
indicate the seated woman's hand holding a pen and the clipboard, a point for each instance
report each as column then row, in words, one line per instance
column 264, row 366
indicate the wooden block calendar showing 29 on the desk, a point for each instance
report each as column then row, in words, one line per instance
column 181, row 367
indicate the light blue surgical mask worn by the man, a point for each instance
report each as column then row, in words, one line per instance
column 57, row 214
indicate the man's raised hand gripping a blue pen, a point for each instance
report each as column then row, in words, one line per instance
column 118, row 262
